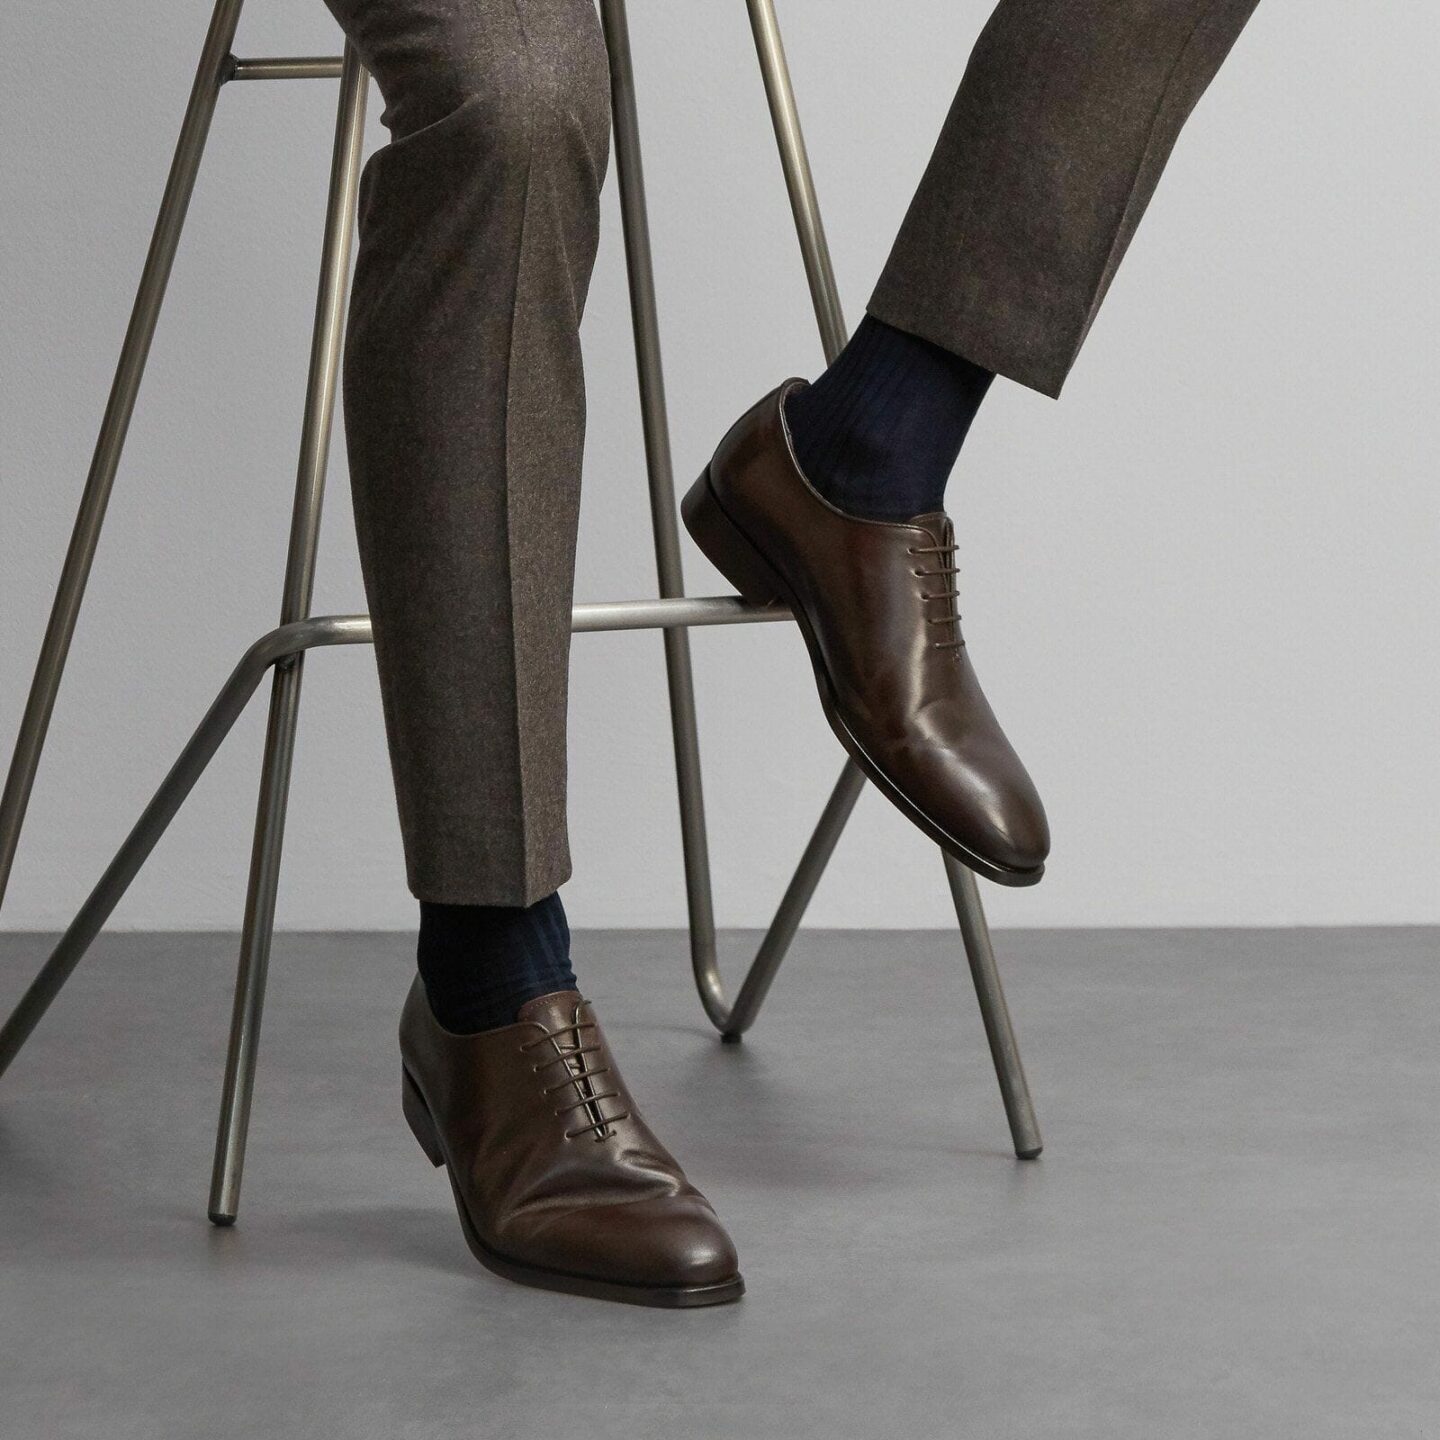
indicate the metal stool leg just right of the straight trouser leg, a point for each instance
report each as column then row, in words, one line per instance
column 660, row 472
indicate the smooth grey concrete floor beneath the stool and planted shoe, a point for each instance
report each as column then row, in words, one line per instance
column 1233, row 1230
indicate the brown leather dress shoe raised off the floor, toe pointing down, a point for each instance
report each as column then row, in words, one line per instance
column 876, row 606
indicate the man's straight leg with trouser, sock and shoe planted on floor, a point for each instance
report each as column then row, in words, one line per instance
column 464, row 418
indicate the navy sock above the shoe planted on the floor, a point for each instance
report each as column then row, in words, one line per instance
column 482, row 963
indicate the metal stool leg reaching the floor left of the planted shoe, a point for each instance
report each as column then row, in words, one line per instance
column 300, row 574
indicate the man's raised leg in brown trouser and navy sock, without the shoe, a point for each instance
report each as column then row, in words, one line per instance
column 1048, row 161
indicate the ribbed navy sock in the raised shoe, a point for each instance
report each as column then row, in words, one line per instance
column 879, row 433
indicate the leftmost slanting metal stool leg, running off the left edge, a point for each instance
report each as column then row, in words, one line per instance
column 211, row 74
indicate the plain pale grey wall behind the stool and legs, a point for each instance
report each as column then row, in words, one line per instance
column 1202, row 590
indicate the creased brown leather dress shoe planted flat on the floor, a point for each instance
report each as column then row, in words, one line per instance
column 558, row 1180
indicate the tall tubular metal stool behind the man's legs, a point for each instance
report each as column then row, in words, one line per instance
column 284, row 649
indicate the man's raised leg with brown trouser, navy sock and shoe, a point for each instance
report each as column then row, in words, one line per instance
column 830, row 496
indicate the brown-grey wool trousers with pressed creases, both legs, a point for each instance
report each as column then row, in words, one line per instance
column 463, row 387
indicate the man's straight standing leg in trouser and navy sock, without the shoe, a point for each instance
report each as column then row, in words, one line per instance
column 466, row 418
